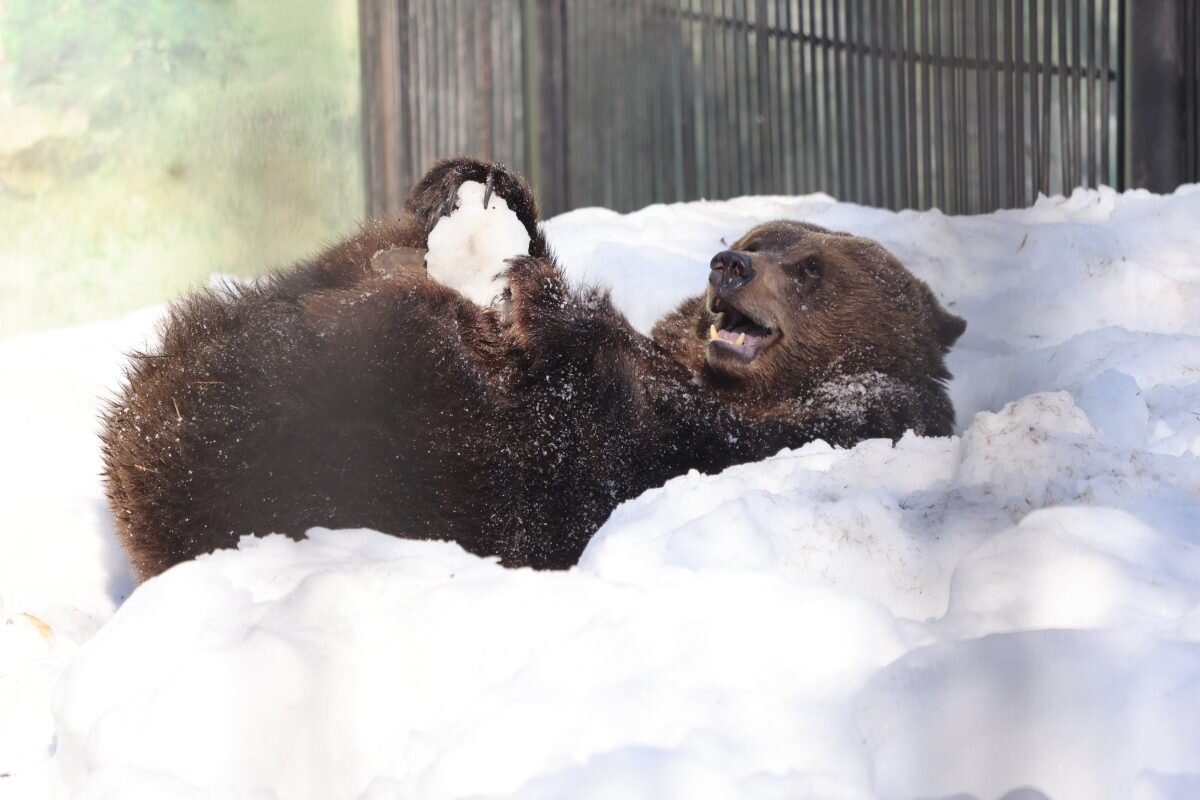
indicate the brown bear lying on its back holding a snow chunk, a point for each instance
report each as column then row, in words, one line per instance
column 355, row 392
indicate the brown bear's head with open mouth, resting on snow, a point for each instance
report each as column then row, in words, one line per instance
column 793, row 305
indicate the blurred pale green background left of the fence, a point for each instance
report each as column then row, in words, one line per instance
column 147, row 145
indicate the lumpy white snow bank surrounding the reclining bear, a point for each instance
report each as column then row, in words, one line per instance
column 1011, row 612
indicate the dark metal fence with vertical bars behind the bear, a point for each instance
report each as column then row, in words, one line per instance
column 901, row 104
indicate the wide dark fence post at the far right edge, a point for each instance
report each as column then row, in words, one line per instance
column 1156, row 136
